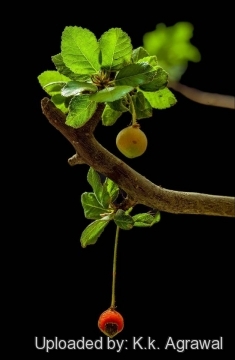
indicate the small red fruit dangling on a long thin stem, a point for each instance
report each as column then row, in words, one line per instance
column 111, row 322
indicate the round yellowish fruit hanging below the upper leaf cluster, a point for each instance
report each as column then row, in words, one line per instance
column 131, row 141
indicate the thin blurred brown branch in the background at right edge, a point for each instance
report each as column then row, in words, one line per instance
column 203, row 97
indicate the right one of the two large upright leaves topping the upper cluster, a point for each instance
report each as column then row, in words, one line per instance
column 116, row 49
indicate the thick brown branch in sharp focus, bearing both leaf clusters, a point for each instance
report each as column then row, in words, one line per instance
column 139, row 189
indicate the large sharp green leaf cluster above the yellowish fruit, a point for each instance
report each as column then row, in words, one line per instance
column 108, row 70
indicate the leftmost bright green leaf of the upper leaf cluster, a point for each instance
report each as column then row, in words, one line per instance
column 52, row 77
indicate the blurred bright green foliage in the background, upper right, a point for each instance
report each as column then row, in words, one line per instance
column 172, row 47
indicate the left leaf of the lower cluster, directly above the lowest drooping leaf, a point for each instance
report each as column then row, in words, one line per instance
column 92, row 207
